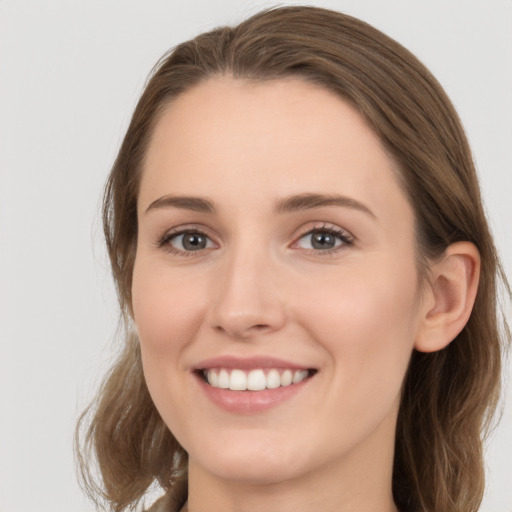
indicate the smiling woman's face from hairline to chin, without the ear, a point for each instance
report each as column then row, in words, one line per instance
column 274, row 245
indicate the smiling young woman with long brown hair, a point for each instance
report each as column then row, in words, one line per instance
column 307, row 279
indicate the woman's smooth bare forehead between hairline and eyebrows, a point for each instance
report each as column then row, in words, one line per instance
column 233, row 138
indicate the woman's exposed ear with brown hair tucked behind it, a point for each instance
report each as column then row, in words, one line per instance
column 449, row 297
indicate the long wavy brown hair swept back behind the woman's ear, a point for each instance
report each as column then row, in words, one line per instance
column 449, row 397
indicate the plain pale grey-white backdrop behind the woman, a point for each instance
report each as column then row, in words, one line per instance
column 70, row 74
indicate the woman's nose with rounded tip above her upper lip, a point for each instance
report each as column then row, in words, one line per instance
column 247, row 301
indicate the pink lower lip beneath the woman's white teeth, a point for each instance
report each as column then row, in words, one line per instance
column 250, row 402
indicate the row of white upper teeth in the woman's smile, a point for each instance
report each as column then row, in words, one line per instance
column 255, row 380
